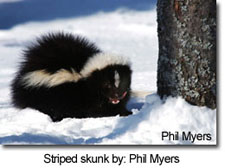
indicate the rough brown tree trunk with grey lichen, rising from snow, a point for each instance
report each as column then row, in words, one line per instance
column 187, row 50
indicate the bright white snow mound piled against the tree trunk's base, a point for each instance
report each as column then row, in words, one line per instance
column 173, row 115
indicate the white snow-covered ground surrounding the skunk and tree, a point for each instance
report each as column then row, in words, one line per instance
column 128, row 32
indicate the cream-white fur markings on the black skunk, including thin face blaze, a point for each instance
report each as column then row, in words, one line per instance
column 97, row 62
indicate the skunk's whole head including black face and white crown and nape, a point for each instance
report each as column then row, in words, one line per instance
column 109, row 75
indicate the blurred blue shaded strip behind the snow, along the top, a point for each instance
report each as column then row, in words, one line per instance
column 20, row 11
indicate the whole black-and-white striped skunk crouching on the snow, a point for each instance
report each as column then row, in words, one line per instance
column 63, row 75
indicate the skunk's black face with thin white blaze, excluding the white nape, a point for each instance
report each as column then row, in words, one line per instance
column 115, row 83
